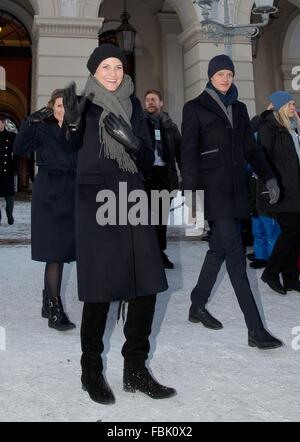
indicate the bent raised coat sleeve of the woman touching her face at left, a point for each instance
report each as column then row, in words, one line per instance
column 29, row 138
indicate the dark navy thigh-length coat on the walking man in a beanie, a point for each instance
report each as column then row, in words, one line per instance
column 214, row 157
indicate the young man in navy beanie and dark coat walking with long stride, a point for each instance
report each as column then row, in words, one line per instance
column 216, row 147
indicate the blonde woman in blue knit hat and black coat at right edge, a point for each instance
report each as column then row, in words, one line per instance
column 278, row 134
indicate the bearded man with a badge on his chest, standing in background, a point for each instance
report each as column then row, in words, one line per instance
column 166, row 142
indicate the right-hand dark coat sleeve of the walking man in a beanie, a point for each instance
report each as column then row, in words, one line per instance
column 255, row 154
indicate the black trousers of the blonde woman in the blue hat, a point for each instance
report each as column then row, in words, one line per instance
column 286, row 250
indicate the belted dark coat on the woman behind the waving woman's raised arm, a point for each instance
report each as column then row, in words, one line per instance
column 53, row 193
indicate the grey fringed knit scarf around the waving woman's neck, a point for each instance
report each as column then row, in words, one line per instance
column 119, row 103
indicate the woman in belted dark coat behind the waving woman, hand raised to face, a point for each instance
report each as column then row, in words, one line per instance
column 53, row 199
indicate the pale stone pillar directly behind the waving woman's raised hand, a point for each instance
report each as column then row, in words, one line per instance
column 62, row 45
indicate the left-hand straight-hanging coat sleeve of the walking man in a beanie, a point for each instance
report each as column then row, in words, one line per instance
column 190, row 148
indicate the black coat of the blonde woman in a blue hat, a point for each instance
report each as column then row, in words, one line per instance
column 280, row 149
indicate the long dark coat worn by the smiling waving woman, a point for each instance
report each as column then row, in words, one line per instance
column 114, row 262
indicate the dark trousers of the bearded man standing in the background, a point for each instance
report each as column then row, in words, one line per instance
column 159, row 181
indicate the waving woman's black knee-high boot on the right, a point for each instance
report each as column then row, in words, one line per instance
column 137, row 329
